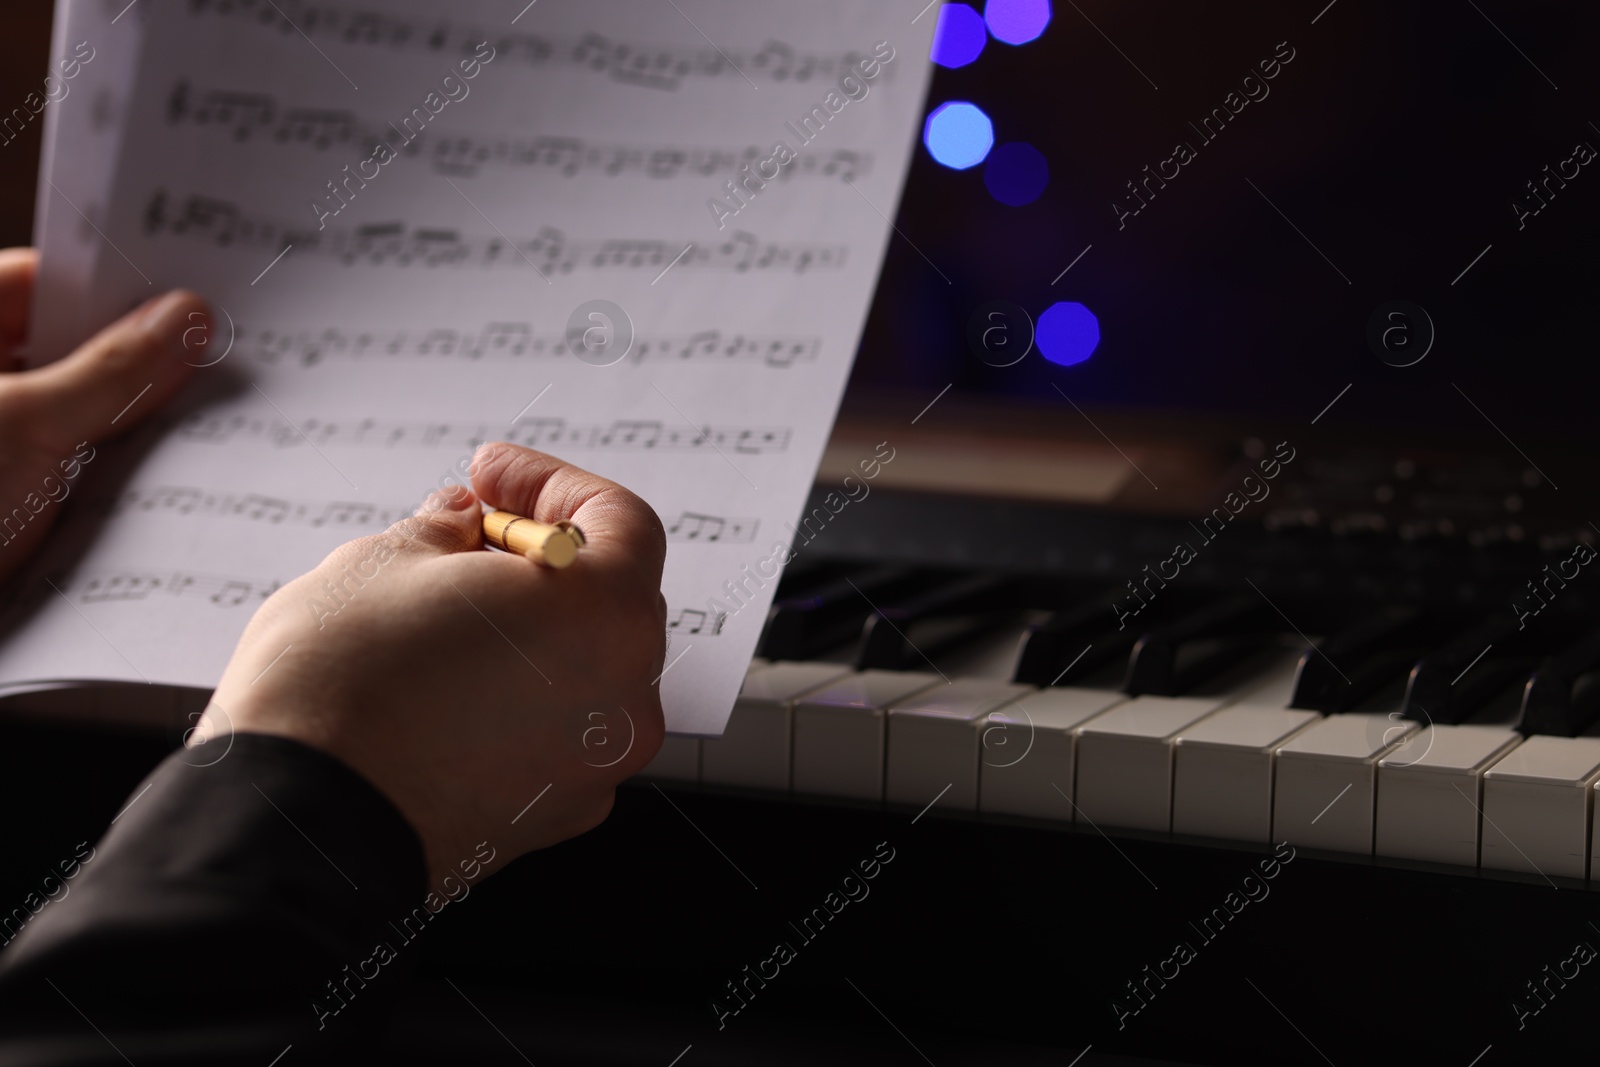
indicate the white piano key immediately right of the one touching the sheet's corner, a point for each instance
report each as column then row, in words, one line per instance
column 841, row 732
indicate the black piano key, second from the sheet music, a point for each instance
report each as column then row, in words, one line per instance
column 969, row 607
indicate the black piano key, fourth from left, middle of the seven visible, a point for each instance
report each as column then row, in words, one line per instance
column 1174, row 658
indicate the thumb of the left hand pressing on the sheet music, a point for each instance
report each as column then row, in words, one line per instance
column 116, row 378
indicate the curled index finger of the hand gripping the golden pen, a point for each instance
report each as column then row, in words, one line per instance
column 615, row 522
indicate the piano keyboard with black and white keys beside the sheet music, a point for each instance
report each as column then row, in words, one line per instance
column 1254, row 708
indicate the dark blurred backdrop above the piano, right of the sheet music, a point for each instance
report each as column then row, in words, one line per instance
column 1396, row 140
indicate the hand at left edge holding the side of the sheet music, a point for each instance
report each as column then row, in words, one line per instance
column 52, row 418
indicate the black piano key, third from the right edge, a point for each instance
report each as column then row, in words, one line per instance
column 1345, row 669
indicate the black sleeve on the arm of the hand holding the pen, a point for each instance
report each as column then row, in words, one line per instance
column 230, row 913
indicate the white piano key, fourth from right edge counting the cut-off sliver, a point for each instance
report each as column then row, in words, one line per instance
column 1327, row 778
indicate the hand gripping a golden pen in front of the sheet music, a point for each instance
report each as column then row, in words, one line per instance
column 468, row 684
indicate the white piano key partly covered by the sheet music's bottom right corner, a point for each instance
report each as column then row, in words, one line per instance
column 754, row 748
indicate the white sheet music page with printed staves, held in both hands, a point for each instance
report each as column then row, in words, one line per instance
column 404, row 218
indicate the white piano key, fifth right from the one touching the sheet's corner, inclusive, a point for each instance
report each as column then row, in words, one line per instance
column 1126, row 761
